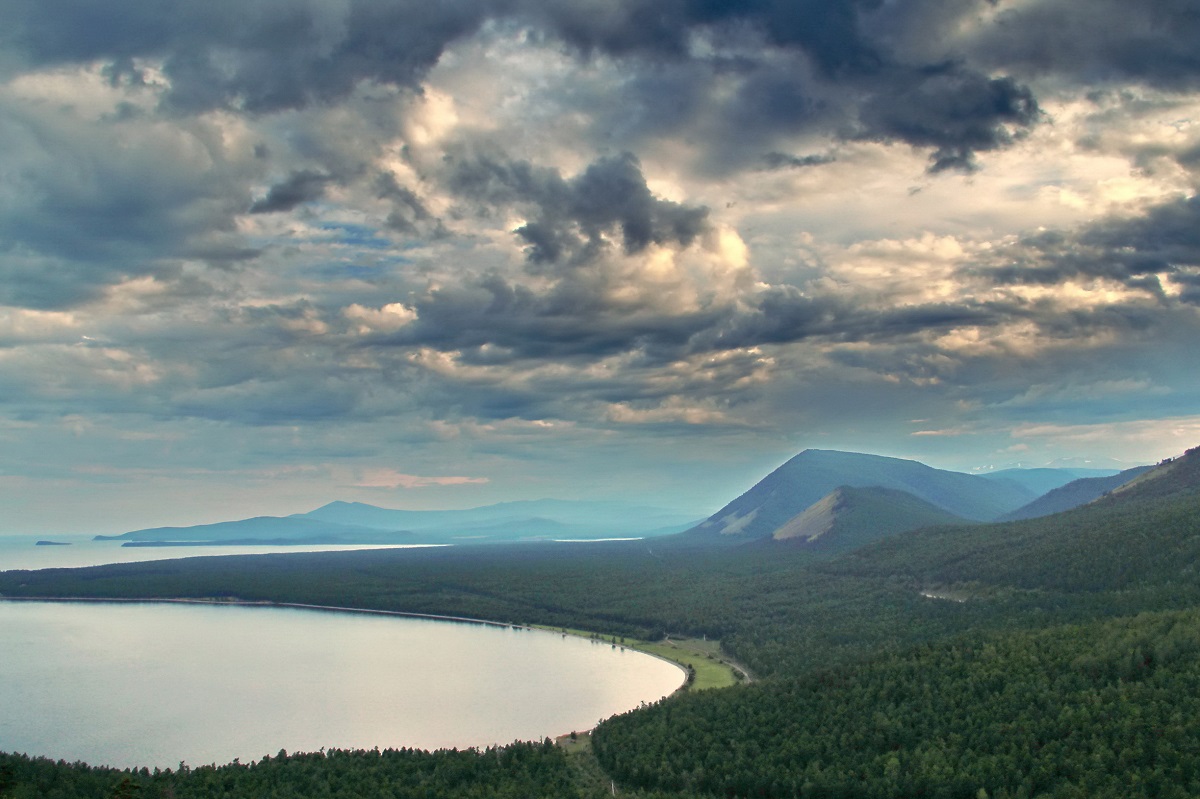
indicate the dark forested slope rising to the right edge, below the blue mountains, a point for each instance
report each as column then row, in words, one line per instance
column 1145, row 533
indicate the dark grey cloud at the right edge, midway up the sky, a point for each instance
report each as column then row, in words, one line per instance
column 1166, row 241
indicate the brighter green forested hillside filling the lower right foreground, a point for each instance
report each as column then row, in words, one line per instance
column 1099, row 711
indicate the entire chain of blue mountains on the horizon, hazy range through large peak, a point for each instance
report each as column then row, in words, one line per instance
column 824, row 500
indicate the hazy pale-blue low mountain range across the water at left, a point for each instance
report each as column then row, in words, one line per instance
column 361, row 524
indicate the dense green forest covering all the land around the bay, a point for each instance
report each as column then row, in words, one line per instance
column 1052, row 657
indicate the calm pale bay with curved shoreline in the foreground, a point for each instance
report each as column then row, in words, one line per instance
column 155, row 684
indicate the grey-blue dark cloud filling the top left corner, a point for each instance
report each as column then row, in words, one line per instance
column 261, row 56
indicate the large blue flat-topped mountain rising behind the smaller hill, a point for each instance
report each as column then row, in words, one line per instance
column 813, row 474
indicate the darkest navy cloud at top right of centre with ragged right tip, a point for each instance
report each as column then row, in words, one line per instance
column 859, row 88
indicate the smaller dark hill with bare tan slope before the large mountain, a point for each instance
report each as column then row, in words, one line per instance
column 849, row 518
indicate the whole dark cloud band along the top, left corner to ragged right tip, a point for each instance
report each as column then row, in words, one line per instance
column 266, row 56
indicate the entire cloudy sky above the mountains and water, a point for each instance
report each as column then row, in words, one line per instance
column 259, row 256
